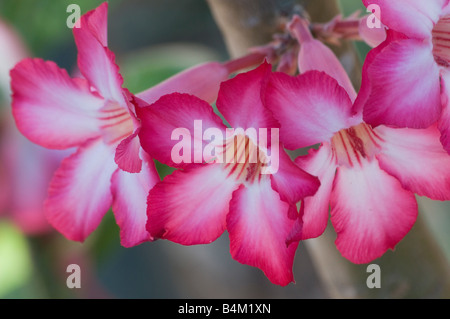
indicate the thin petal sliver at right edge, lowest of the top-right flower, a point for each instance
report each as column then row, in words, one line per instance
column 444, row 121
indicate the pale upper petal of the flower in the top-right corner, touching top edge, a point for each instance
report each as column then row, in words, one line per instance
column 414, row 18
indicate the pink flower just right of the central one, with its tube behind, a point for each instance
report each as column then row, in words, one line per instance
column 368, row 175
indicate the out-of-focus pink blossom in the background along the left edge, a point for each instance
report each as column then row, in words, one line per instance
column 26, row 169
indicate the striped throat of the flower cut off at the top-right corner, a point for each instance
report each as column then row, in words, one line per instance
column 441, row 41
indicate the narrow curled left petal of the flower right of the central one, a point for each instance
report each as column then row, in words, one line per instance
column 320, row 163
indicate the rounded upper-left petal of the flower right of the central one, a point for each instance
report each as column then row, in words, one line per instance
column 310, row 107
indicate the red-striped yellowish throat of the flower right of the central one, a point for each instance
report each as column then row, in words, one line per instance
column 352, row 144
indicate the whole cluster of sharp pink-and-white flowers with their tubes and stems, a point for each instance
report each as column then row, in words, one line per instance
column 370, row 151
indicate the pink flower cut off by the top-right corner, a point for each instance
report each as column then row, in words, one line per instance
column 406, row 78
